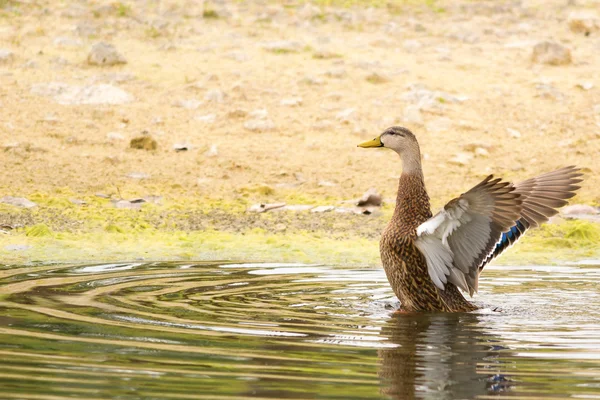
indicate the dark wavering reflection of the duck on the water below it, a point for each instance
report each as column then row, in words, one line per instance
column 440, row 356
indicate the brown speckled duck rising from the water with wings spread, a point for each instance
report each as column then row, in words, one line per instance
column 431, row 260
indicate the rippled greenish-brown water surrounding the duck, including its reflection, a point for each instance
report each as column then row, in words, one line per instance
column 277, row 331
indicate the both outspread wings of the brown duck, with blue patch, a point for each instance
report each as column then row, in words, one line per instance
column 476, row 227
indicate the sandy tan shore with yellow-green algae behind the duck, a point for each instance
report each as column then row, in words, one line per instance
column 269, row 102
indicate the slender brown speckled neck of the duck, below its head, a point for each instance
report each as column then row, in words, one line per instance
column 412, row 203
